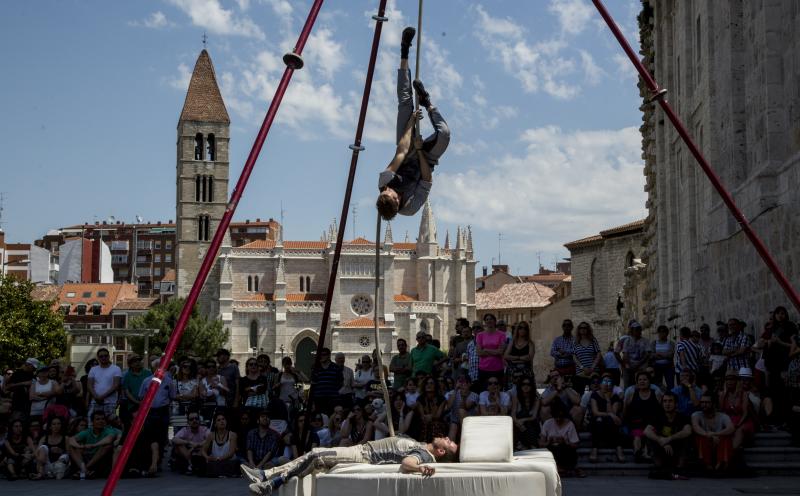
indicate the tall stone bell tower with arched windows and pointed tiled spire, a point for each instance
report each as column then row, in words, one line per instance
column 201, row 178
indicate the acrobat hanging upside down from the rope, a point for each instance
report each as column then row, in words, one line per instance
column 405, row 184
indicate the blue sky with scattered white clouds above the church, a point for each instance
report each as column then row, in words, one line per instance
column 543, row 109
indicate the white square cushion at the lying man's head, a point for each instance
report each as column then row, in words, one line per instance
column 486, row 439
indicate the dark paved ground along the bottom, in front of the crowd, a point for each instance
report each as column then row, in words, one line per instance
column 171, row 484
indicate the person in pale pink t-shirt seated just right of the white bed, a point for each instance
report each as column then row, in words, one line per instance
column 561, row 438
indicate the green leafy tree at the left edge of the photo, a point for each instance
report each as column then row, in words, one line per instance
column 28, row 328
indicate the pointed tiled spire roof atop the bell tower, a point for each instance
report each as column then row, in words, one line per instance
column 203, row 100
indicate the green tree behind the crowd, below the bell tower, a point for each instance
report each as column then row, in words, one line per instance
column 202, row 337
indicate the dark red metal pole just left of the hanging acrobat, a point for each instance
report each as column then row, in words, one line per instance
column 356, row 147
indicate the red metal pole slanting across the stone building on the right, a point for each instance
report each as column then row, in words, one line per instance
column 659, row 94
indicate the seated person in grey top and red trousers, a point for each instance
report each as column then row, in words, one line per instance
column 714, row 436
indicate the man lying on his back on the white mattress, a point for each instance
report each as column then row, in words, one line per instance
column 411, row 455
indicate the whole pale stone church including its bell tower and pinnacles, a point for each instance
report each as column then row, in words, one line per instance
column 270, row 294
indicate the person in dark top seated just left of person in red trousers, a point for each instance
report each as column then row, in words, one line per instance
column 668, row 438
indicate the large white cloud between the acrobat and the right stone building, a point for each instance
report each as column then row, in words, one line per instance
column 564, row 185
